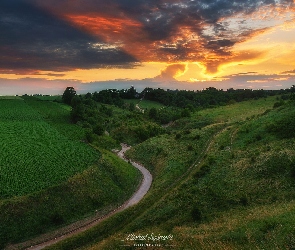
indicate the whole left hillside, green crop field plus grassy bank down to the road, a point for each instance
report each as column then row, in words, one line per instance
column 49, row 176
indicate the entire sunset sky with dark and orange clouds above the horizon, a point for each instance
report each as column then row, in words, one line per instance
column 46, row 46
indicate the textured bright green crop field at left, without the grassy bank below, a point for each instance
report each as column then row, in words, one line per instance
column 35, row 155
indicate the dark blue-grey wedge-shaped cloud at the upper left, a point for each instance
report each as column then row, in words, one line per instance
column 33, row 39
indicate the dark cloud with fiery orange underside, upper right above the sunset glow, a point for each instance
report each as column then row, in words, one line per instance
column 163, row 22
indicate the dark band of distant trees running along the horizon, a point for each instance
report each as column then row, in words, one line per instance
column 209, row 97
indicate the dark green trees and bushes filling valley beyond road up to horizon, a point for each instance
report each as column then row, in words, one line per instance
column 95, row 111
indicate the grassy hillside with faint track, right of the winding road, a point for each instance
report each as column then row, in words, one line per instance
column 223, row 179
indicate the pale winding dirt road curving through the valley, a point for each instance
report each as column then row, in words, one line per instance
column 76, row 228
